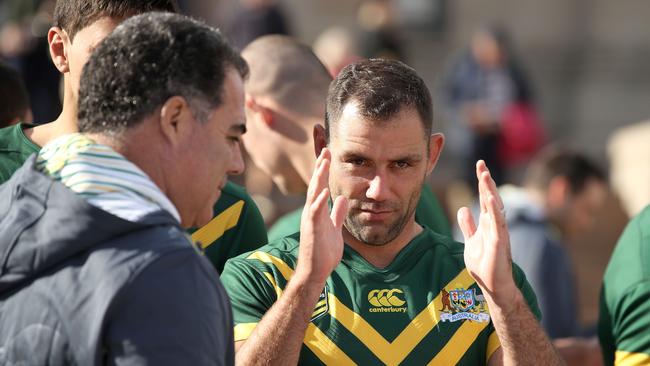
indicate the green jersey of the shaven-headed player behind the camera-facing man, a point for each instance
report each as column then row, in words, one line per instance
column 428, row 213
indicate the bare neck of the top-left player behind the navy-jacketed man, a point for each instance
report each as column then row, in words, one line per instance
column 66, row 123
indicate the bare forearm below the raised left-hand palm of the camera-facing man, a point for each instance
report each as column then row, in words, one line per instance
column 278, row 337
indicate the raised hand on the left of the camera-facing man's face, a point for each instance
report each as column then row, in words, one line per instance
column 321, row 238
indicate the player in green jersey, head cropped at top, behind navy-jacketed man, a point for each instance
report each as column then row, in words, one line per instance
column 80, row 25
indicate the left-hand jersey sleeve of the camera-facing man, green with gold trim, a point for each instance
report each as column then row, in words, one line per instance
column 252, row 292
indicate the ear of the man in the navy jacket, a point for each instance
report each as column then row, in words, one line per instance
column 176, row 120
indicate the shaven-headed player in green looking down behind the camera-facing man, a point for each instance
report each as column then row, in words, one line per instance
column 285, row 100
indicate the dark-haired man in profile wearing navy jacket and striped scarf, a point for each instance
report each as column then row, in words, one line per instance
column 96, row 267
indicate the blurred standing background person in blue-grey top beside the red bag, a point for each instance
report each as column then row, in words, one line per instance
column 480, row 89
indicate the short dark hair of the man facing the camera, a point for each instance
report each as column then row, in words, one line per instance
column 381, row 88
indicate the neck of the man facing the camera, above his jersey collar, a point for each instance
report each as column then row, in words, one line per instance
column 382, row 256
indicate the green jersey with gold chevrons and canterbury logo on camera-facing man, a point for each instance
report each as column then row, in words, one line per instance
column 424, row 308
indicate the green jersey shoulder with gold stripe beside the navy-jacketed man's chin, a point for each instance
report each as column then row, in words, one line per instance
column 237, row 227
